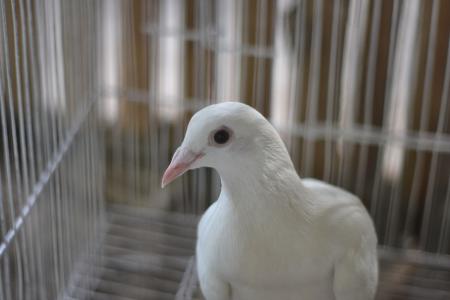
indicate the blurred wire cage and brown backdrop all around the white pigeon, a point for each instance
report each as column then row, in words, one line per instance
column 95, row 97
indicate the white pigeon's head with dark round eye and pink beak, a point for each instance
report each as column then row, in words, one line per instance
column 225, row 136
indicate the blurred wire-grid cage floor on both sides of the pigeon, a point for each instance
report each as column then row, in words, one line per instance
column 148, row 255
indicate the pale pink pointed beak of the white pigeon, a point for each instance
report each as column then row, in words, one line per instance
column 181, row 161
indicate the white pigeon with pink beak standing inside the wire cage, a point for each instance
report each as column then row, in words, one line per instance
column 271, row 235
